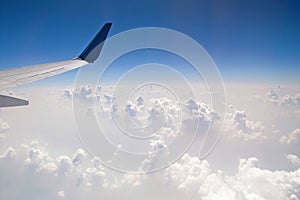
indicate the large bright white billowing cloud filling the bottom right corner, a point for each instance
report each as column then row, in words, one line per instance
column 193, row 176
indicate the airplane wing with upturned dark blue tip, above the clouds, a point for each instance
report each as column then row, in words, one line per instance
column 19, row 76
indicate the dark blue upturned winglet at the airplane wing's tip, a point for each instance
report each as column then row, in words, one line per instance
column 92, row 51
